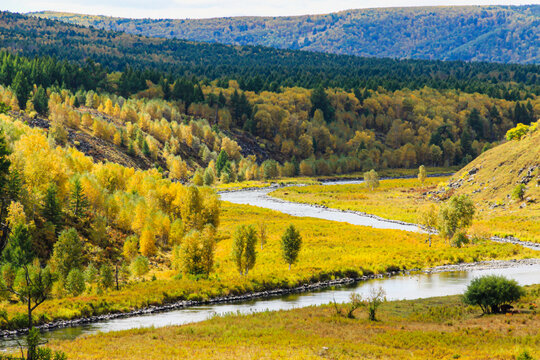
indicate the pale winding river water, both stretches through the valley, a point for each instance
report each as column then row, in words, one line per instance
column 412, row 286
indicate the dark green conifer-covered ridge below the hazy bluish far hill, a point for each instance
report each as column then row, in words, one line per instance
column 257, row 68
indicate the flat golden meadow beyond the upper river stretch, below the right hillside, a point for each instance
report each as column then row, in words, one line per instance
column 404, row 199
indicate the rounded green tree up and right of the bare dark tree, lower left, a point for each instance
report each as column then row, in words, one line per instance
column 67, row 252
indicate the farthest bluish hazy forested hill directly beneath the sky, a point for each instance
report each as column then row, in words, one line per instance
column 471, row 33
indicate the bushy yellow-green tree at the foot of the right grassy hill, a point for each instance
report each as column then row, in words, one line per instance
column 456, row 215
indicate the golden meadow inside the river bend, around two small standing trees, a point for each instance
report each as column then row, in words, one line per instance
column 329, row 250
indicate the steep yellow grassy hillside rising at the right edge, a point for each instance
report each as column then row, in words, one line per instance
column 499, row 171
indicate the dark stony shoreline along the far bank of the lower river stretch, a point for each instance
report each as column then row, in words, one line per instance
column 268, row 294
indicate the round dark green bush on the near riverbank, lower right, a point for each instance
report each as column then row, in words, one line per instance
column 492, row 293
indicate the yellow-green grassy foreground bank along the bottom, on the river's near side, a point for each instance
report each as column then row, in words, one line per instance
column 436, row 328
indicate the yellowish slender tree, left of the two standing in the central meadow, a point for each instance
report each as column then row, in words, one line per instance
column 243, row 250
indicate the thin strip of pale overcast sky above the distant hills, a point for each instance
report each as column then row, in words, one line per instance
column 181, row 9
